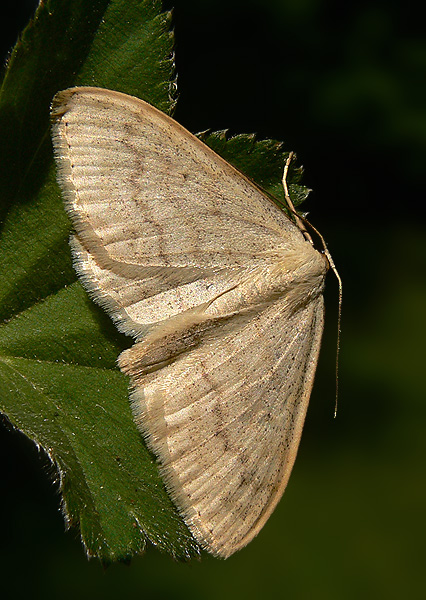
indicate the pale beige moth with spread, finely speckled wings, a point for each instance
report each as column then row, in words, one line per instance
column 221, row 291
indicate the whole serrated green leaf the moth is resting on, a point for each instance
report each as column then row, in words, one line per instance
column 59, row 383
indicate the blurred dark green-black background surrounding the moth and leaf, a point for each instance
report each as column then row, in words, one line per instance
column 344, row 84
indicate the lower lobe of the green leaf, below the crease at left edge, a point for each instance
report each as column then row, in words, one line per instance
column 79, row 414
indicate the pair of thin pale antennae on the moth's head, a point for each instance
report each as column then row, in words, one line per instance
column 300, row 222
